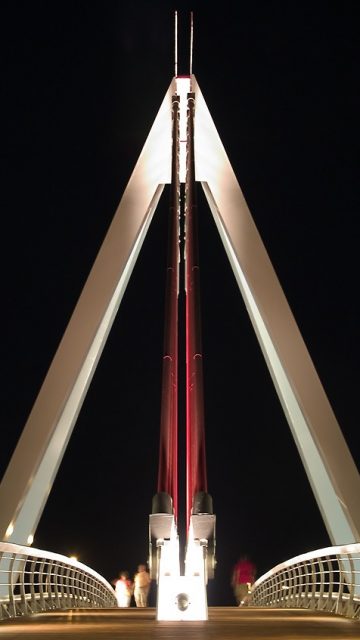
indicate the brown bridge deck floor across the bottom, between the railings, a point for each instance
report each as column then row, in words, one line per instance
column 140, row 624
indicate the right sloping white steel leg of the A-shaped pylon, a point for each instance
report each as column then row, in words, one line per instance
column 327, row 460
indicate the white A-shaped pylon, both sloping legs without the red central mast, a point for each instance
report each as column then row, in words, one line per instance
column 327, row 460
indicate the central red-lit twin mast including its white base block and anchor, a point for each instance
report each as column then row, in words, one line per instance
column 182, row 597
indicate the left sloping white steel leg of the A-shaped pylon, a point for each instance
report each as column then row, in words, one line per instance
column 33, row 467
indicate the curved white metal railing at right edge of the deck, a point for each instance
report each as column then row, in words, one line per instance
column 327, row 579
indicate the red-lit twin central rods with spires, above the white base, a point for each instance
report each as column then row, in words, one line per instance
column 183, row 170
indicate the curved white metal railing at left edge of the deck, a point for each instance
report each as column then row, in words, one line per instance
column 32, row 580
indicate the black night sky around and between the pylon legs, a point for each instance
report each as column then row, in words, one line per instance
column 81, row 85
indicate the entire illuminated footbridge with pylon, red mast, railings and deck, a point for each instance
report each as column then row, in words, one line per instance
column 316, row 593
